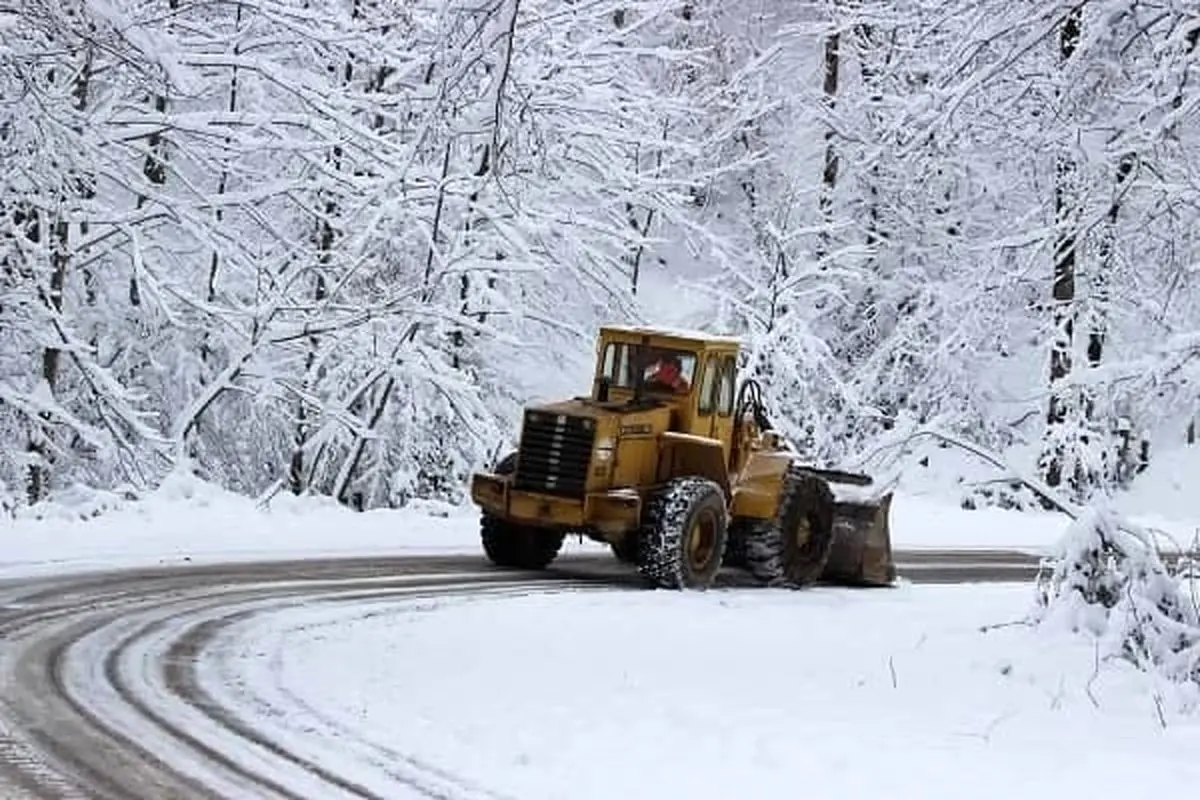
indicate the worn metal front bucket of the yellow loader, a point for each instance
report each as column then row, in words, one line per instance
column 861, row 555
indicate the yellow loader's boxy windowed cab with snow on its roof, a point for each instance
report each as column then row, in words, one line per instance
column 693, row 374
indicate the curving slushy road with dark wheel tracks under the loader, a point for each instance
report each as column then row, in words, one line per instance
column 99, row 689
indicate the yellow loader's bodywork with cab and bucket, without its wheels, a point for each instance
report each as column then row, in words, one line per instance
column 589, row 465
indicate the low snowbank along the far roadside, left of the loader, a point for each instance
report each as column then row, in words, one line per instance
column 190, row 521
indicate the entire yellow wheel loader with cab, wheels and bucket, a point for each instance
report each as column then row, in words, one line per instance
column 676, row 467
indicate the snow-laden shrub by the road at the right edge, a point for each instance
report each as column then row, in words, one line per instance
column 1108, row 579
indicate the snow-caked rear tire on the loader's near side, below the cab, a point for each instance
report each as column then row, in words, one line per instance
column 682, row 542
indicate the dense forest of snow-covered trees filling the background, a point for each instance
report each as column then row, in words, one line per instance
column 333, row 248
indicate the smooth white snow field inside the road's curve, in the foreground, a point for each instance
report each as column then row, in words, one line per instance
column 715, row 695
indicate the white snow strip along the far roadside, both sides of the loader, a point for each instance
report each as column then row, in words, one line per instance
column 188, row 521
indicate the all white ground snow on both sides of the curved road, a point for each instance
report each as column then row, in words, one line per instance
column 553, row 691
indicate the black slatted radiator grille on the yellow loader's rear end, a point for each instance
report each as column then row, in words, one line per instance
column 556, row 450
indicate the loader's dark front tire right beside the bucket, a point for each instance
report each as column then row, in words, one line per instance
column 794, row 549
